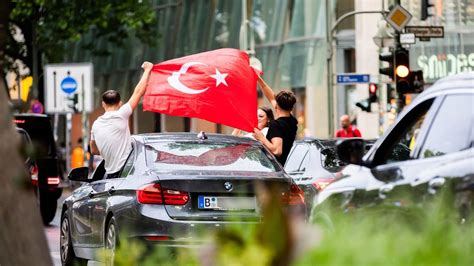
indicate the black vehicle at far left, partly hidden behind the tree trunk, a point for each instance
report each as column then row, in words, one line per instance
column 48, row 182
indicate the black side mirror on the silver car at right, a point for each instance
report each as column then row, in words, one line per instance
column 351, row 151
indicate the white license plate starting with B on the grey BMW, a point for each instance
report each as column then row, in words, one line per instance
column 227, row 203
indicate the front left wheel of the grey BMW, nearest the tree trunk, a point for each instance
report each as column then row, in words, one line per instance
column 65, row 245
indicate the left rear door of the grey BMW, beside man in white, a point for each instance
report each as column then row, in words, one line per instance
column 101, row 200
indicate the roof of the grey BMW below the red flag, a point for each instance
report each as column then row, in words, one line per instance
column 191, row 136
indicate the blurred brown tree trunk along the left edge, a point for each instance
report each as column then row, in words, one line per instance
column 21, row 230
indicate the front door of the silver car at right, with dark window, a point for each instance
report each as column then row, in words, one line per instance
column 392, row 160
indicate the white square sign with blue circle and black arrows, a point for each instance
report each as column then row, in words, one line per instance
column 63, row 81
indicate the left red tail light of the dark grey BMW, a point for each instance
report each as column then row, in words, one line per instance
column 154, row 194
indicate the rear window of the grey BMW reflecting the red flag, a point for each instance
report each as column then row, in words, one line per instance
column 198, row 156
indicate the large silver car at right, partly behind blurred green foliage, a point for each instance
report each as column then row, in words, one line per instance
column 430, row 146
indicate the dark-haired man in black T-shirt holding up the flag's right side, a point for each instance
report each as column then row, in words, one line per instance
column 282, row 131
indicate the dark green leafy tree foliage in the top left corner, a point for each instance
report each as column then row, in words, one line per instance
column 47, row 26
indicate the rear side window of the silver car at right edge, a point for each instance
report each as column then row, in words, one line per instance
column 451, row 128
